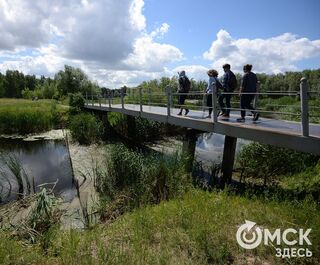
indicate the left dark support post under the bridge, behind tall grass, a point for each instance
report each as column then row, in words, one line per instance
column 189, row 147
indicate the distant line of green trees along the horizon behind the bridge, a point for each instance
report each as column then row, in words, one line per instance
column 14, row 84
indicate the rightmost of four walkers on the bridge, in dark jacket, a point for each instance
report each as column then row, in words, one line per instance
column 248, row 85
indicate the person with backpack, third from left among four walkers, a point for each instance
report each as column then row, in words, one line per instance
column 229, row 84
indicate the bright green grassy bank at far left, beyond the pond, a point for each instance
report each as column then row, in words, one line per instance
column 27, row 116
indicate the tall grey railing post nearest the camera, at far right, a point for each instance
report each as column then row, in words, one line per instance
column 304, row 106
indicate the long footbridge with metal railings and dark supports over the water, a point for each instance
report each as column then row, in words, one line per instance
column 271, row 128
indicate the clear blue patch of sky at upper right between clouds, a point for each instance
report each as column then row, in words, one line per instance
column 193, row 24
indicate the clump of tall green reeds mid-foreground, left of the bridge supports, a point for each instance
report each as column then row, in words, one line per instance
column 133, row 179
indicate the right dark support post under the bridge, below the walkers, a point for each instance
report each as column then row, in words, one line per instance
column 229, row 151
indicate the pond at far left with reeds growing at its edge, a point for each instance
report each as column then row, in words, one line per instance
column 40, row 162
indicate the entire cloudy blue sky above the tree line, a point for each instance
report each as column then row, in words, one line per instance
column 124, row 42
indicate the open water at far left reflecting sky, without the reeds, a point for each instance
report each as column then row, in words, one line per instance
column 44, row 161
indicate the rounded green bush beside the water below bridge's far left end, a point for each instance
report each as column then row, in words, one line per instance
column 85, row 128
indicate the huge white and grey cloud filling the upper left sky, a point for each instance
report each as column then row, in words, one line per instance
column 106, row 38
